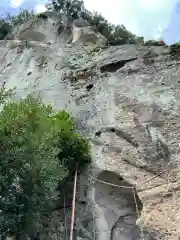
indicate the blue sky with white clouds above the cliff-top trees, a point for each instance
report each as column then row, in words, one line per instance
column 148, row 18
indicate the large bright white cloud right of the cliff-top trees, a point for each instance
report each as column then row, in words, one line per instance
column 142, row 17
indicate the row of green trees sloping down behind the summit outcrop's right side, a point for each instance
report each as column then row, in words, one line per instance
column 76, row 9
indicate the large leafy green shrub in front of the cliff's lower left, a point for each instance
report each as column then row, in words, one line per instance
column 38, row 149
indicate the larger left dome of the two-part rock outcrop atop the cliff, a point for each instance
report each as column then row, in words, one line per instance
column 48, row 27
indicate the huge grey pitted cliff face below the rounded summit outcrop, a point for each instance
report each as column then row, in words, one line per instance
column 126, row 99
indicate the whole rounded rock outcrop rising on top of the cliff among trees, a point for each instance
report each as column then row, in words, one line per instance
column 50, row 27
